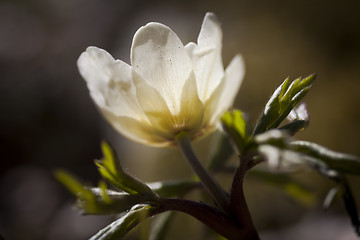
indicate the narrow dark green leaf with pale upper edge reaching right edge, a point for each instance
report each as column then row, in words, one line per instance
column 341, row 162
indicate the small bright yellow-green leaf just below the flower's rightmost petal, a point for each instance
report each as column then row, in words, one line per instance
column 234, row 125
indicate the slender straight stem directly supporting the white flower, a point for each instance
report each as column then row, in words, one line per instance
column 213, row 188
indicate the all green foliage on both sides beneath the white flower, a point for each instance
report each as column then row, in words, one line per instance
column 269, row 143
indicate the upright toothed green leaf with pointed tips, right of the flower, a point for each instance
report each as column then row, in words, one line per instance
column 283, row 100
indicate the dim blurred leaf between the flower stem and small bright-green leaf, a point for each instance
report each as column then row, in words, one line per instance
column 220, row 152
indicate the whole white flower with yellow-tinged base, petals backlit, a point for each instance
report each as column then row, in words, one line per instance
column 168, row 88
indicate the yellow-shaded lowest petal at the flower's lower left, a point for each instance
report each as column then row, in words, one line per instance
column 138, row 131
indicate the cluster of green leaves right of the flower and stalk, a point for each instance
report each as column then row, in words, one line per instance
column 281, row 152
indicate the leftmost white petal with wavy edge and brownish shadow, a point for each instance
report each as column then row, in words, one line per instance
column 110, row 83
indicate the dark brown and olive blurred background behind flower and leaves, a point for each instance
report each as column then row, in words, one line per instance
column 48, row 120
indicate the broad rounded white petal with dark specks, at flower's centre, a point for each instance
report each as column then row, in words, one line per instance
column 158, row 55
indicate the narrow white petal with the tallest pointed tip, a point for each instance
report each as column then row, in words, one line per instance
column 206, row 57
